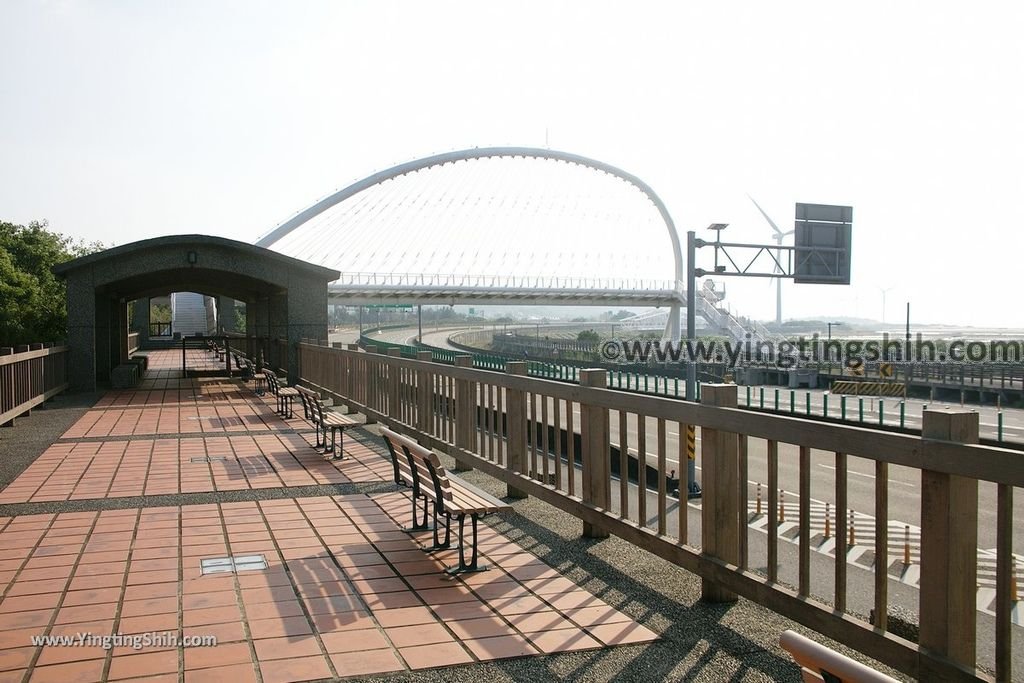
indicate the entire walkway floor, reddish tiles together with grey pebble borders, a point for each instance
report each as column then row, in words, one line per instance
column 110, row 503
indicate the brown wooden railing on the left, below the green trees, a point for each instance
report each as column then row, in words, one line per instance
column 29, row 376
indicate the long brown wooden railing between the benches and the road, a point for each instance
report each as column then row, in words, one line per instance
column 557, row 442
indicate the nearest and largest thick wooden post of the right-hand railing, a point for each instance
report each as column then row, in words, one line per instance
column 949, row 548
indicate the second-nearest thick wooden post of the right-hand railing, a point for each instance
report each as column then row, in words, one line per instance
column 720, row 514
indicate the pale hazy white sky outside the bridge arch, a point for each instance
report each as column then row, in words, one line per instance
column 127, row 120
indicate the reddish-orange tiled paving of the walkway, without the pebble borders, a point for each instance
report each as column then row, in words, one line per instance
column 346, row 592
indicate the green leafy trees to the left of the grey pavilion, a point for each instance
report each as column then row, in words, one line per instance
column 33, row 304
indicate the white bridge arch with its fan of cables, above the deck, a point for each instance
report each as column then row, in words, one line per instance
column 444, row 203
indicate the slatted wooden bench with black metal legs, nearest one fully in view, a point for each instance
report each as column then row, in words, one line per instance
column 453, row 499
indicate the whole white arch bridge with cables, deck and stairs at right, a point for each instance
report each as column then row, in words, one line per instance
column 500, row 226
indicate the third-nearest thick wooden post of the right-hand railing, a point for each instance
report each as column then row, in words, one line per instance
column 596, row 453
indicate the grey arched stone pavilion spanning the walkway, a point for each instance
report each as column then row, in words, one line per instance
column 286, row 297
